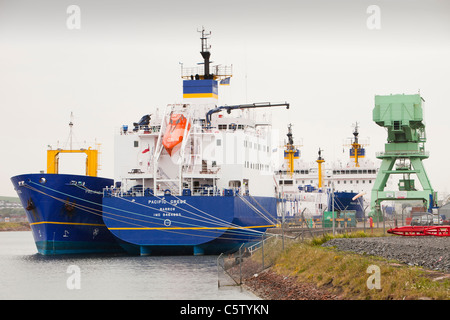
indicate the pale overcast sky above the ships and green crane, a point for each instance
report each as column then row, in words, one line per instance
column 324, row 57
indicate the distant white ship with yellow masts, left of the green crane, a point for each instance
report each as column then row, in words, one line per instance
column 308, row 185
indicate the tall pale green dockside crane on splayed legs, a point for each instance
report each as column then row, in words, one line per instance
column 402, row 116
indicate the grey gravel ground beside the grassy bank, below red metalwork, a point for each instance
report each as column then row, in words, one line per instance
column 429, row 252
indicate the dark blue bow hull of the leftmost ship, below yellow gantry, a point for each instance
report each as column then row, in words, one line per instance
column 64, row 212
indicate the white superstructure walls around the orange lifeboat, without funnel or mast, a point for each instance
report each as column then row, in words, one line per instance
column 233, row 152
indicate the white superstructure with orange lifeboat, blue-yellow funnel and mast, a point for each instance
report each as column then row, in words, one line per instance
column 198, row 146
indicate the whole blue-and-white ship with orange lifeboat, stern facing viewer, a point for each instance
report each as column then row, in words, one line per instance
column 195, row 177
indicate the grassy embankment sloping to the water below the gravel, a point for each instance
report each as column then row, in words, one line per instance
column 345, row 273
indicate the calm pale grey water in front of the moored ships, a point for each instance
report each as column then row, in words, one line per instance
column 28, row 275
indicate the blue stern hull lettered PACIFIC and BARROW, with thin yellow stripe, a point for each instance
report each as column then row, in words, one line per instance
column 149, row 225
